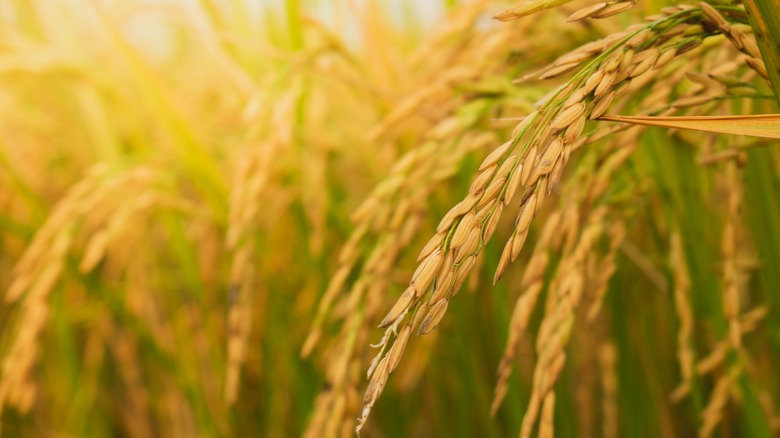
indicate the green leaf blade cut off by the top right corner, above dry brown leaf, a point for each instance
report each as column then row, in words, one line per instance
column 764, row 16
